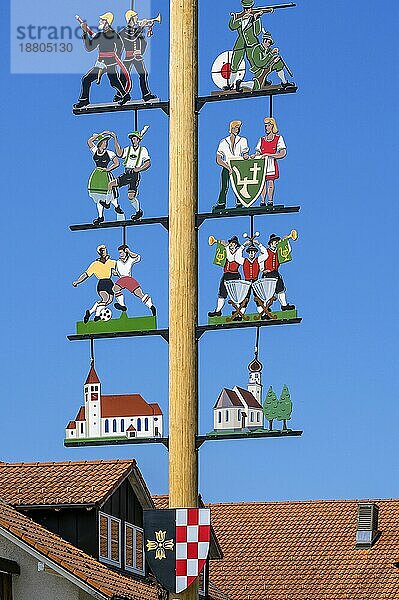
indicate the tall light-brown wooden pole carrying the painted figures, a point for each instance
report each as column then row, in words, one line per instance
column 183, row 288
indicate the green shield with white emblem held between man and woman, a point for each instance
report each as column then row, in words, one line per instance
column 248, row 178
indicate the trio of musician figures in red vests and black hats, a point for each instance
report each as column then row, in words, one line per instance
column 267, row 264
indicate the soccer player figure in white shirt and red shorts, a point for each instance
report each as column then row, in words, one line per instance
column 125, row 281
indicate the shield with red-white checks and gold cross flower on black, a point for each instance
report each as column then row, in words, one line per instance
column 177, row 545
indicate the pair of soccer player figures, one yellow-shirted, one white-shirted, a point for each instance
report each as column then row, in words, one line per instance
column 104, row 268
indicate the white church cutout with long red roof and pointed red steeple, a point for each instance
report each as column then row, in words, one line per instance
column 113, row 416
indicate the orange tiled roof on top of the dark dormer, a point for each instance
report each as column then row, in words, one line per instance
column 81, row 482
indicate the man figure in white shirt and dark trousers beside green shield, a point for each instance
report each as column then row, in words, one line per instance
column 233, row 146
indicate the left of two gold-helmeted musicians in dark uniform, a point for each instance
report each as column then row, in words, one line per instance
column 110, row 48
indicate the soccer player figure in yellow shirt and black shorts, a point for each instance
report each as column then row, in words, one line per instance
column 102, row 269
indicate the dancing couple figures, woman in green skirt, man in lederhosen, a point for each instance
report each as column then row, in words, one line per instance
column 103, row 187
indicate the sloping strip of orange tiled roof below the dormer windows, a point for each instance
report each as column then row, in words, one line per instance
column 86, row 569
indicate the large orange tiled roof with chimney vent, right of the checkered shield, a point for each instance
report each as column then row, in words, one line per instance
column 304, row 551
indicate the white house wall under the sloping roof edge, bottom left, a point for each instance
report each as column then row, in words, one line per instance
column 34, row 585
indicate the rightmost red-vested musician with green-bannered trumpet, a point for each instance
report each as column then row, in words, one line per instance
column 279, row 252
